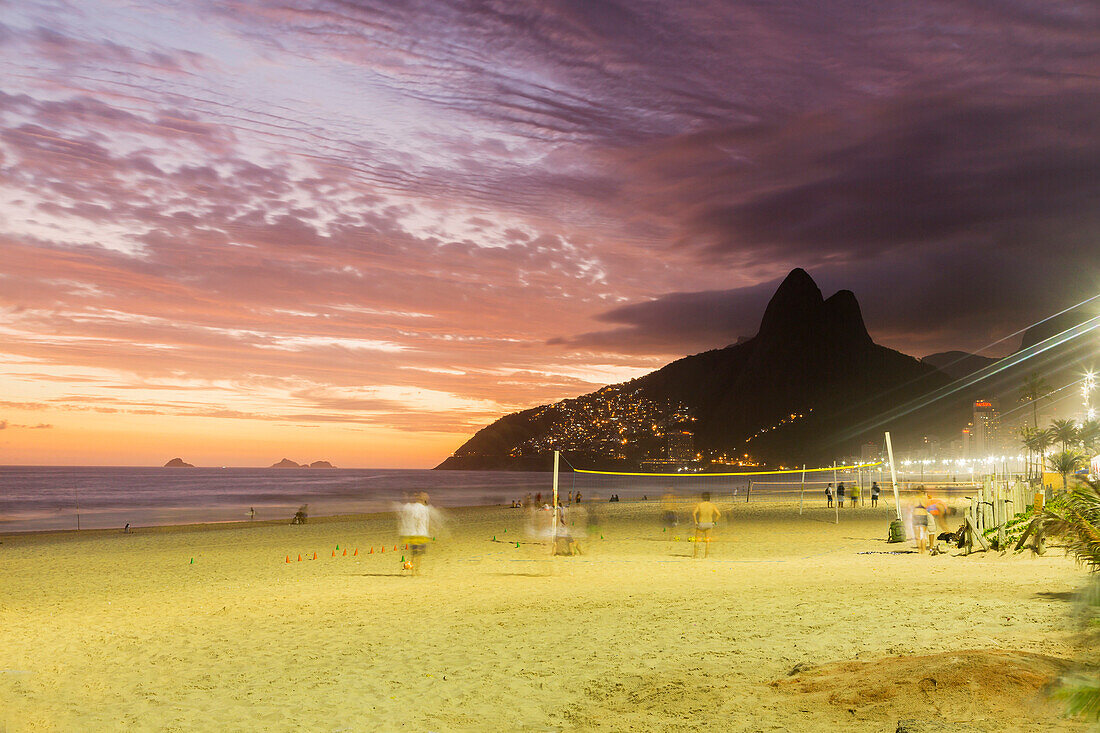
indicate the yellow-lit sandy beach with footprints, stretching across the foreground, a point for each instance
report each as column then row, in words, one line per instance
column 794, row 625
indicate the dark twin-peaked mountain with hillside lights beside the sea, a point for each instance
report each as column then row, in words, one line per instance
column 809, row 387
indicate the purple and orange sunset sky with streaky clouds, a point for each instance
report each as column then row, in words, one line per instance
column 360, row 232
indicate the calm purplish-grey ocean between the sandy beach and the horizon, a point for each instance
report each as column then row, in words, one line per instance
column 43, row 498
